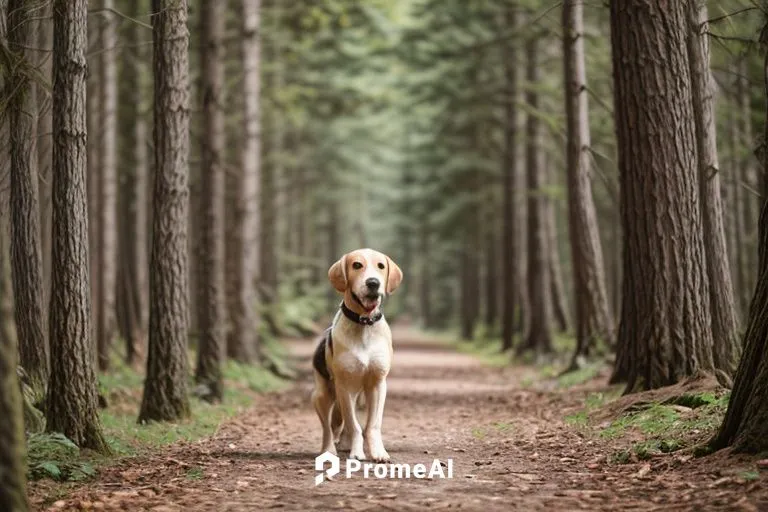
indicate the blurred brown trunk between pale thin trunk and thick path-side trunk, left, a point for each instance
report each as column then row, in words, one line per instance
column 133, row 240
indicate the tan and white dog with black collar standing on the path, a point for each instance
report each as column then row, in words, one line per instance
column 354, row 355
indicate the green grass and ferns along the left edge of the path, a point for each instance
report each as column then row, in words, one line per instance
column 54, row 456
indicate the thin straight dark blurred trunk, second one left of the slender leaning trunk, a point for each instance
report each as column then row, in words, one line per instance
column 510, row 193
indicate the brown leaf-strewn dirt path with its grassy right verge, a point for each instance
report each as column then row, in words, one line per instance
column 518, row 442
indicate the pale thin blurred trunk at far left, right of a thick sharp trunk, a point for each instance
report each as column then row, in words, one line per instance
column 107, row 255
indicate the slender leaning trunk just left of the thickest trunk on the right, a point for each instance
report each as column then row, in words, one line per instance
column 594, row 323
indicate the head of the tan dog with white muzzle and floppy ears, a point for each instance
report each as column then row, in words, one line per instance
column 367, row 276
